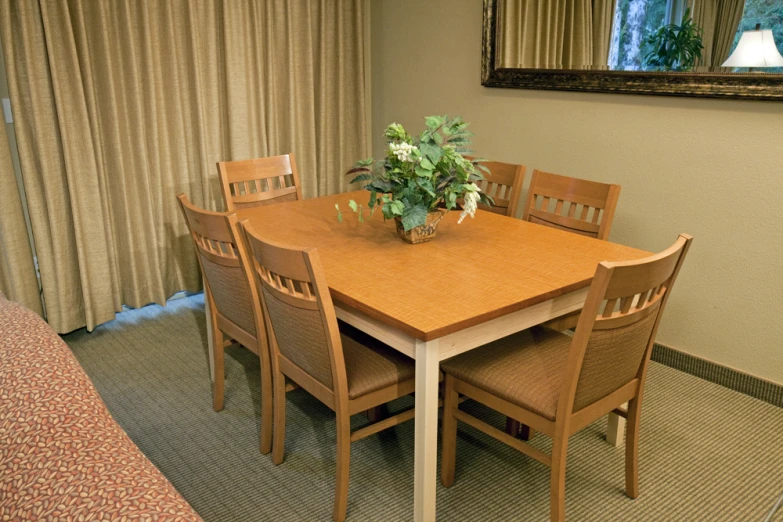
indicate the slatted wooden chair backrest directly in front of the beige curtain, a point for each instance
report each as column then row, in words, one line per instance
column 261, row 181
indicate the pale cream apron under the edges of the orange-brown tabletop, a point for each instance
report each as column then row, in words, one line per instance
column 469, row 338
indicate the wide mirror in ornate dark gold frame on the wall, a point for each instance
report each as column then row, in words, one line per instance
column 661, row 47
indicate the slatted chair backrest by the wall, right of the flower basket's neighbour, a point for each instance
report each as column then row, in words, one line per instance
column 572, row 204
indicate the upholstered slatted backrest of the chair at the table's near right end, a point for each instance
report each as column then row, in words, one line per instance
column 615, row 333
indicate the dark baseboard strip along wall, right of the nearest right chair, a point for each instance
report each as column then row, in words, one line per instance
column 713, row 372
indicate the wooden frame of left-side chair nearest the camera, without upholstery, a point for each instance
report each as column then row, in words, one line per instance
column 279, row 270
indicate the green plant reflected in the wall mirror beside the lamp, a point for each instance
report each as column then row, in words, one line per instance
column 675, row 47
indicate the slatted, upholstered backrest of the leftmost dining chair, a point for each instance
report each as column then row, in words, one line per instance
column 222, row 259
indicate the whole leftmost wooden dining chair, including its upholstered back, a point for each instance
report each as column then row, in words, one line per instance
column 233, row 306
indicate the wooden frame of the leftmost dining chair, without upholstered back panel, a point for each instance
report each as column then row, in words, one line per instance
column 216, row 237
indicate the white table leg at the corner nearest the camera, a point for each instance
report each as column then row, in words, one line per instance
column 426, row 452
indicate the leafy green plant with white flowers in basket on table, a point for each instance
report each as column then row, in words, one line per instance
column 421, row 176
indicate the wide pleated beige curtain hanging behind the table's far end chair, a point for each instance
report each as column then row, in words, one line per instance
column 122, row 105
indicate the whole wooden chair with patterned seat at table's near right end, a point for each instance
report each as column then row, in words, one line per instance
column 558, row 384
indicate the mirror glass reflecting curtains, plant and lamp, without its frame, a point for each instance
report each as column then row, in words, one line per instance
column 641, row 35
